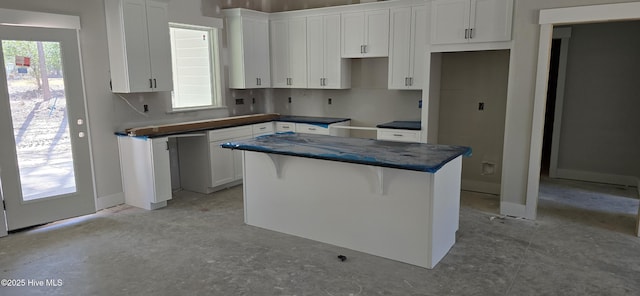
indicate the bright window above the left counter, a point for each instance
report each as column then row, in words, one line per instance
column 196, row 74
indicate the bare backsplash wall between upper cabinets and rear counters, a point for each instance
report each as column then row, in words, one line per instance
column 368, row 102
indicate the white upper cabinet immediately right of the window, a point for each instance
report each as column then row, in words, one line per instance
column 248, row 40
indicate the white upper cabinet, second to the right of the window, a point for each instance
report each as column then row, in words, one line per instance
column 289, row 52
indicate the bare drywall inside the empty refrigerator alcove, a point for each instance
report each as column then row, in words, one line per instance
column 467, row 80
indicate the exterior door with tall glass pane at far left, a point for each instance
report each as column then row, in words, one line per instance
column 45, row 164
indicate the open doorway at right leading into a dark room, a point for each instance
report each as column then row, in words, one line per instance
column 589, row 197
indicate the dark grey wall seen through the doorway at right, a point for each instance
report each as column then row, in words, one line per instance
column 600, row 122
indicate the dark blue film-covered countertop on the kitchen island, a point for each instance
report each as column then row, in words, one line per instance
column 408, row 156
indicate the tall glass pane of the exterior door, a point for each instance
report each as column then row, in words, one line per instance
column 40, row 123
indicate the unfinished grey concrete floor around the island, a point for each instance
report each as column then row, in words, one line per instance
column 581, row 244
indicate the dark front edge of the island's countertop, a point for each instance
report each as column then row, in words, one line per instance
column 417, row 168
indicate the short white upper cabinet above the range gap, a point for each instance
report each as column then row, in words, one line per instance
column 365, row 34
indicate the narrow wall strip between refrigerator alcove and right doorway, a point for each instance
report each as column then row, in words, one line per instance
column 520, row 97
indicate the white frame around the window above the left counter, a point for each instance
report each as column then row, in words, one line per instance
column 217, row 99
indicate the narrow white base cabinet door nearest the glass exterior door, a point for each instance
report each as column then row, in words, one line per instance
column 161, row 169
